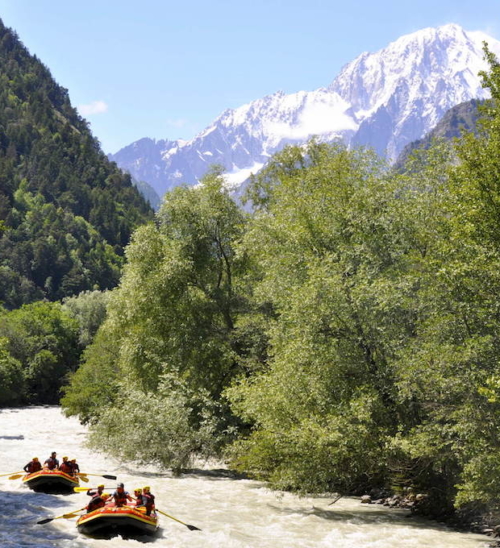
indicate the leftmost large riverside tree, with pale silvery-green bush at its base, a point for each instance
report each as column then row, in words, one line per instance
column 170, row 343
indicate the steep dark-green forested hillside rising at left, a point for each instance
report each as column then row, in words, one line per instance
column 66, row 212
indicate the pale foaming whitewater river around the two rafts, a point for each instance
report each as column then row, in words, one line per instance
column 231, row 513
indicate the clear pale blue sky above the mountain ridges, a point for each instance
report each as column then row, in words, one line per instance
column 166, row 69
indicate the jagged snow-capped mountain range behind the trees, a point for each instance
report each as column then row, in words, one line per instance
column 383, row 100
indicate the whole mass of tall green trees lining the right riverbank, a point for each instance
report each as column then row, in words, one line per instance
column 345, row 335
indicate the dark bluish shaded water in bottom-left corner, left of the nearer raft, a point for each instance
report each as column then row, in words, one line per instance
column 19, row 516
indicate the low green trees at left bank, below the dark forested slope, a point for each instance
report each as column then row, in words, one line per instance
column 41, row 344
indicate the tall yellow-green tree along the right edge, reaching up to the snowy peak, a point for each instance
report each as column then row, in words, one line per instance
column 461, row 337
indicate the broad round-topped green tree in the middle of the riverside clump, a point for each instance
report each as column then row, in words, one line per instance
column 323, row 239
